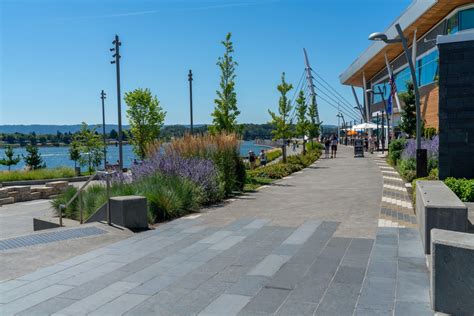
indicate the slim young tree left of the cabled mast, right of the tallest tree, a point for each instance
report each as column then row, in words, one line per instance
column 281, row 121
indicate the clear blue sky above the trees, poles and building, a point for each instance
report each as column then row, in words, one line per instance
column 55, row 53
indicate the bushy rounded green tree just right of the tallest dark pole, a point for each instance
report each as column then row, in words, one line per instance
column 145, row 117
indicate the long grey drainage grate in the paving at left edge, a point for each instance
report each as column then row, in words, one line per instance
column 44, row 238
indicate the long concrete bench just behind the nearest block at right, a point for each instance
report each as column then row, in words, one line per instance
column 438, row 207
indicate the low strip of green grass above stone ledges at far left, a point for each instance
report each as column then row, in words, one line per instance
column 37, row 174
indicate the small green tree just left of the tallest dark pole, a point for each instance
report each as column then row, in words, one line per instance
column 90, row 147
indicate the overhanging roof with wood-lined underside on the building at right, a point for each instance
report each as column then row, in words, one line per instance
column 421, row 15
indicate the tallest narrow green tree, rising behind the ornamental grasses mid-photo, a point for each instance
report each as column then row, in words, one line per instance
column 226, row 111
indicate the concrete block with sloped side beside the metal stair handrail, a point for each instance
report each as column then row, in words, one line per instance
column 127, row 211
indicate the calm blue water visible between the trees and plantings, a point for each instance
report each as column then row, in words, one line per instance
column 59, row 156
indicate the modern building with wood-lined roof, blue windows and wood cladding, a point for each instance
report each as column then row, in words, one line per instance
column 421, row 23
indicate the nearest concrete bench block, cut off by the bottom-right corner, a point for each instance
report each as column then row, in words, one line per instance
column 452, row 272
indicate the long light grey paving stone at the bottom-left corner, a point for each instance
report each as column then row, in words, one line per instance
column 32, row 299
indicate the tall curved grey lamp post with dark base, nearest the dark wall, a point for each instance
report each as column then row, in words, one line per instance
column 421, row 154
